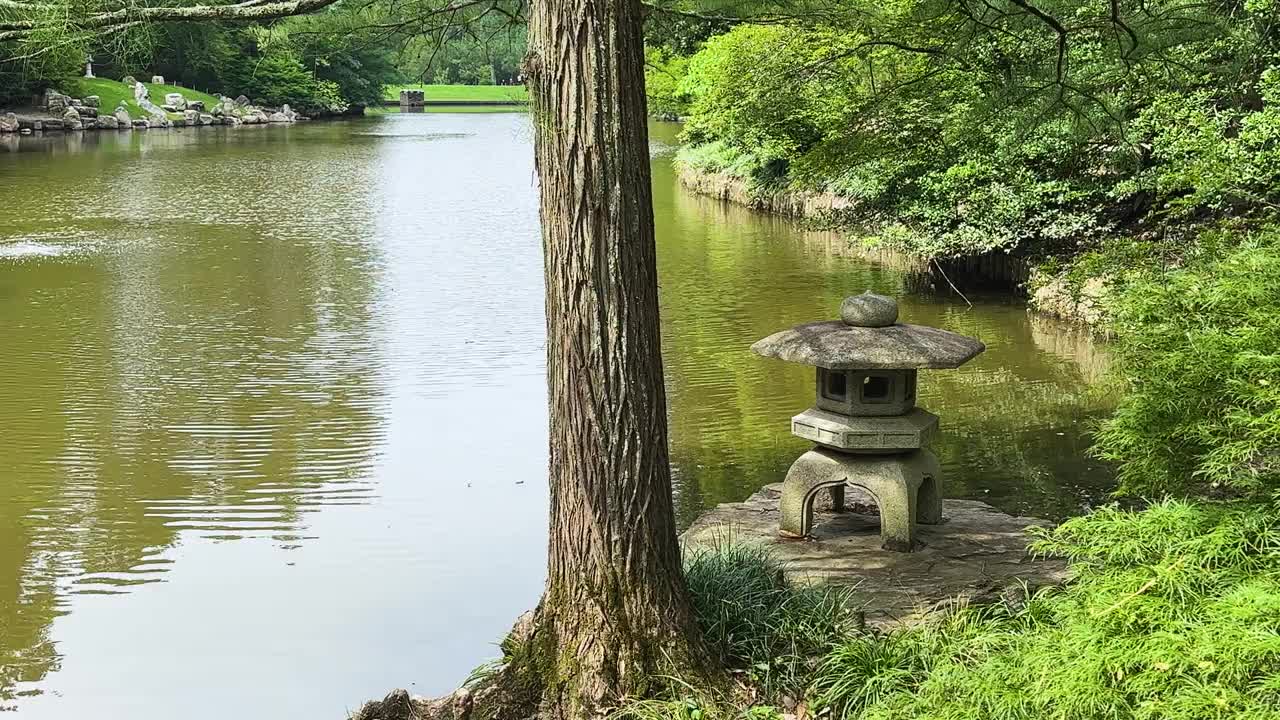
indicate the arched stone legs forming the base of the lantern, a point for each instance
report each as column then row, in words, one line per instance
column 907, row 490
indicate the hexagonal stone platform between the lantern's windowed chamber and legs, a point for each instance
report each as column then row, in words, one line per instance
column 866, row 435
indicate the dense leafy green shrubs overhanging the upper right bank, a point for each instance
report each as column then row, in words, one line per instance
column 962, row 131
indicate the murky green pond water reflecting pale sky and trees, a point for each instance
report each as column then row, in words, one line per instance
column 272, row 404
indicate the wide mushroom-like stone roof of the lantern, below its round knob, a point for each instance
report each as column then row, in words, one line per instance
column 838, row 347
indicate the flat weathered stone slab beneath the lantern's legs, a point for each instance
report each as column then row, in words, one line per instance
column 977, row 554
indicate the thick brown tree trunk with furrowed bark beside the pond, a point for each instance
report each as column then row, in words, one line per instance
column 616, row 613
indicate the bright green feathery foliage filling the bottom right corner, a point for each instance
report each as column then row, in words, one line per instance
column 1173, row 613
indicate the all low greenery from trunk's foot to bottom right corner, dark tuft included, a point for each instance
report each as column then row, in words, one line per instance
column 1173, row 614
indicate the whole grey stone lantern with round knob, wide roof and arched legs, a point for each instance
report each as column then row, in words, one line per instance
column 865, row 422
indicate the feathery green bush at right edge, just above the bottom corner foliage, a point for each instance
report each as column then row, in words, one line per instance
column 1199, row 350
